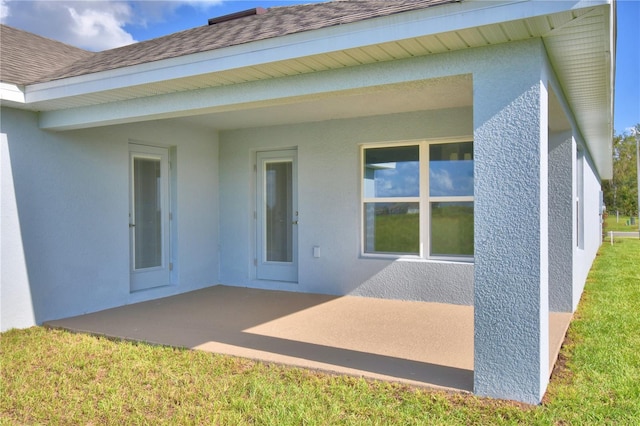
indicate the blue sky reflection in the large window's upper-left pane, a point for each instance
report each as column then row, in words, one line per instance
column 400, row 179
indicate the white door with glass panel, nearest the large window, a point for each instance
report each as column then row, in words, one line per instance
column 277, row 216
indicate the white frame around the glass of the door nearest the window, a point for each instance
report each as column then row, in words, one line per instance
column 263, row 268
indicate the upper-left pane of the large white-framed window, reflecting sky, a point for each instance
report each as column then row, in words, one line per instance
column 392, row 172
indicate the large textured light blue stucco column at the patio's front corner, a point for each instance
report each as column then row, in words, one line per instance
column 511, row 319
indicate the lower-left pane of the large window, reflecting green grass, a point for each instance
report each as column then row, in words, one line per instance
column 392, row 228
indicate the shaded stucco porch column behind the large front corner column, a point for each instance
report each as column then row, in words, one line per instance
column 562, row 240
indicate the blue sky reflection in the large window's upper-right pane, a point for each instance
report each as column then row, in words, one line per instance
column 450, row 178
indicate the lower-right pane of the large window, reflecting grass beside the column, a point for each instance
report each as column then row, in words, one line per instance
column 452, row 229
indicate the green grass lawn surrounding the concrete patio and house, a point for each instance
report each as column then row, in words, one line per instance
column 55, row 377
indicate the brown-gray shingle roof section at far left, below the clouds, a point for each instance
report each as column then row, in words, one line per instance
column 26, row 57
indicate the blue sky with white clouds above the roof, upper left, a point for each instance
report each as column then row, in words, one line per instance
column 90, row 24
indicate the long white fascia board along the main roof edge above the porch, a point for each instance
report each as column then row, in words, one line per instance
column 434, row 20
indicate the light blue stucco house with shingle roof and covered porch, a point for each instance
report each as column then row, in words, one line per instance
column 435, row 150
